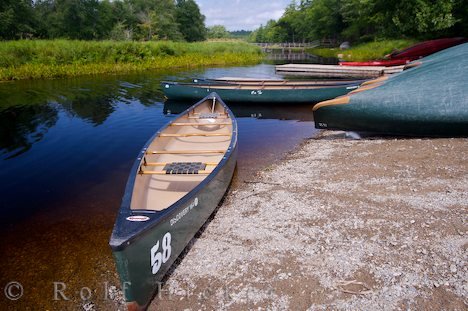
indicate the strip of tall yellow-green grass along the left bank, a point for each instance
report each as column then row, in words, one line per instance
column 31, row 59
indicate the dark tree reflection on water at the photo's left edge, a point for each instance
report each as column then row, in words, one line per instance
column 21, row 127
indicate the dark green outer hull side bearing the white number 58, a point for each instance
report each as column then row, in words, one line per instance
column 134, row 262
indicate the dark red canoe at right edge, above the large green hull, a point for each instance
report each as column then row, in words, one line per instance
column 425, row 48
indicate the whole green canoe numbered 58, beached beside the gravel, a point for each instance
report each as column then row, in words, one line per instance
column 175, row 184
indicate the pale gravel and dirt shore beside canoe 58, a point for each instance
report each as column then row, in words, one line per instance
column 376, row 223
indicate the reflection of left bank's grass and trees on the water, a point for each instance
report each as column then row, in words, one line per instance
column 29, row 108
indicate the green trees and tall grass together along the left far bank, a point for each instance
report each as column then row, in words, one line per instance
column 79, row 37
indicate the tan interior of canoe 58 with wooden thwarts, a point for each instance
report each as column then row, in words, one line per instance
column 201, row 135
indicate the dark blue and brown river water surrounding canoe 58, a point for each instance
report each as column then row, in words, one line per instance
column 66, row 147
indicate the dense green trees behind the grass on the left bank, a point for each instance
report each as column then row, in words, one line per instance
column 178, row 20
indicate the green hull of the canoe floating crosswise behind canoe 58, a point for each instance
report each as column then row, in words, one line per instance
column 175, row 91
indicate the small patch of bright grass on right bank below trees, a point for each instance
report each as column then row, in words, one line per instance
column 365, row 51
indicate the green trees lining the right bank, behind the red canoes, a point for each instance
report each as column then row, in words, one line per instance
column 365, row 20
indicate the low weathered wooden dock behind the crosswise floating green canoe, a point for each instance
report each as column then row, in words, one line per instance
column 336, row 71
